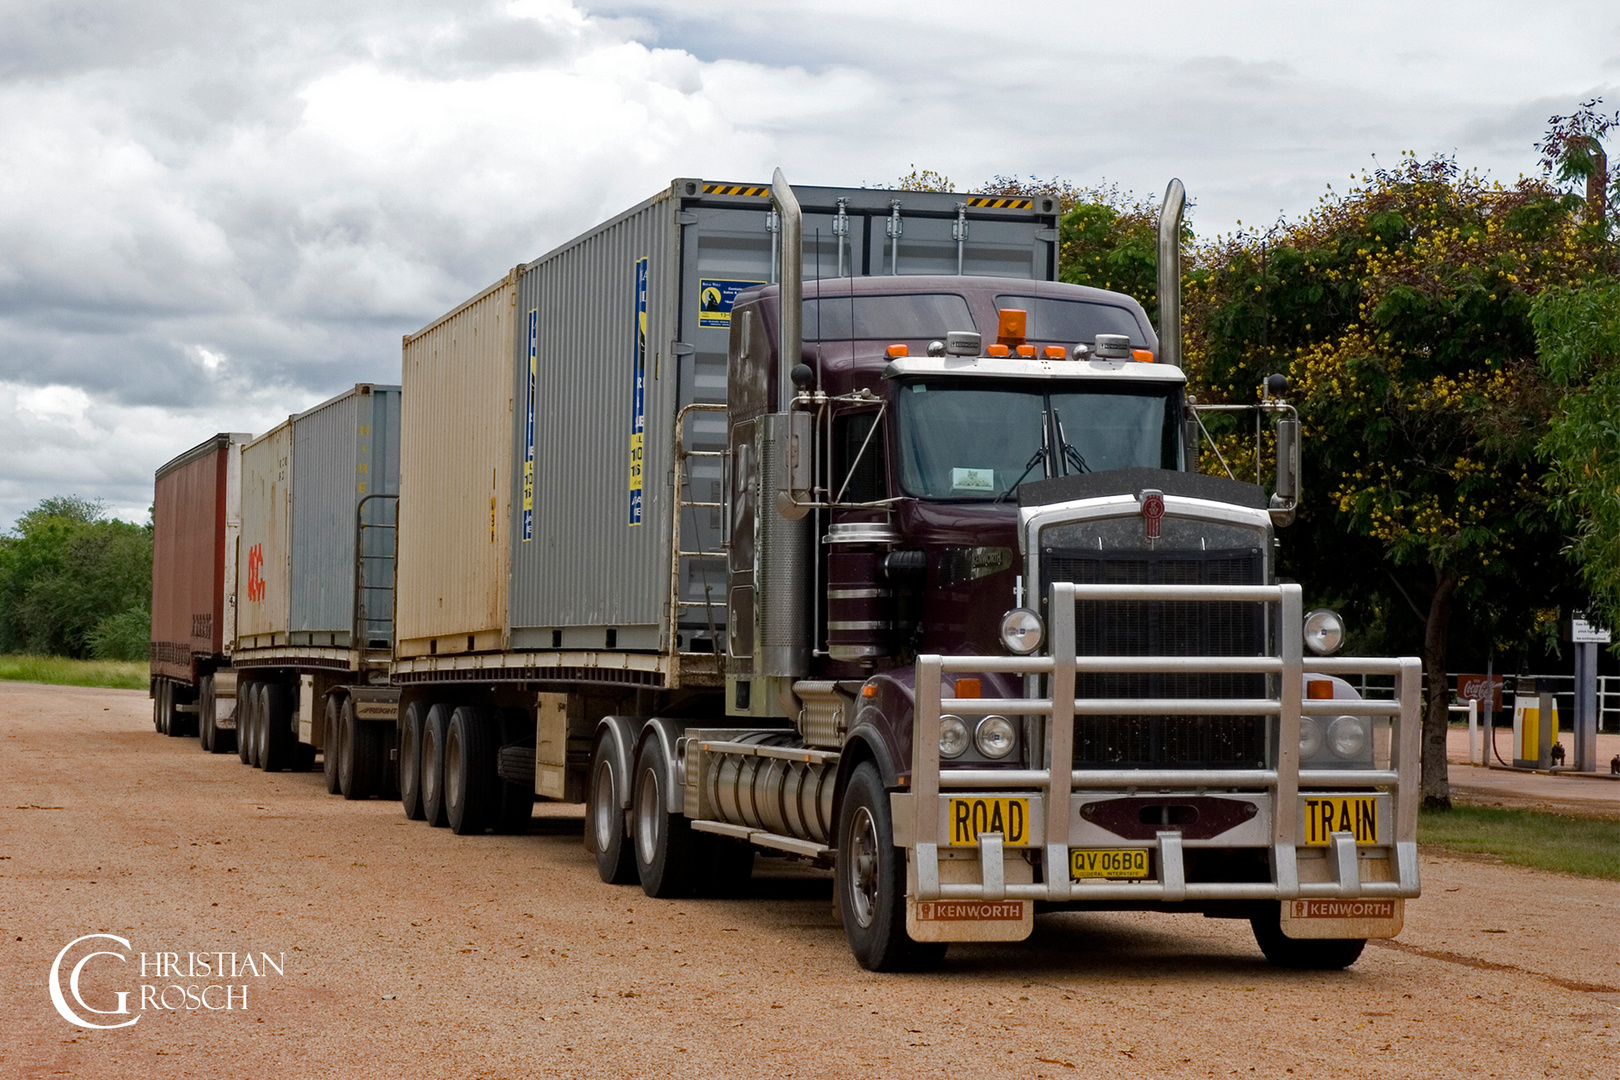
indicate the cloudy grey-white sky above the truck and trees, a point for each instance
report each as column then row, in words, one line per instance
column 216, row 213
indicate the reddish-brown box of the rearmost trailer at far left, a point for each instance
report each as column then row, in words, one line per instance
column 195, row 519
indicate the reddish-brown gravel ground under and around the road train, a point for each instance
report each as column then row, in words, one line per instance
column 409, row 951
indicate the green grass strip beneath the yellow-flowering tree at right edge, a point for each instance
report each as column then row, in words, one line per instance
column 1527, row 838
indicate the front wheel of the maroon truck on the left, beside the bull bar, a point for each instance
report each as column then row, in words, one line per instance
column 872, row 882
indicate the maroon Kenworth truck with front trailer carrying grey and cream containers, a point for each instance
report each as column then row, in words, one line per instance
column 825, row 524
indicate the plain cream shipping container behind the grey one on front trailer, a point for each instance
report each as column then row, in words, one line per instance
column 456, row 478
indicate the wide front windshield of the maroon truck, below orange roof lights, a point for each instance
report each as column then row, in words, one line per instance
column 983, row 440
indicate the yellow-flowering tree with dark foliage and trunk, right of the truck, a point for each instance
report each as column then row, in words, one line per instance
column 1400, row 310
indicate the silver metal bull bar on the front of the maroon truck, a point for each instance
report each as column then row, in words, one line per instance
column 1400, row 781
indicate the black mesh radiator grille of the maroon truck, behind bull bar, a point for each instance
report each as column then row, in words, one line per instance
column 1167, row 629
